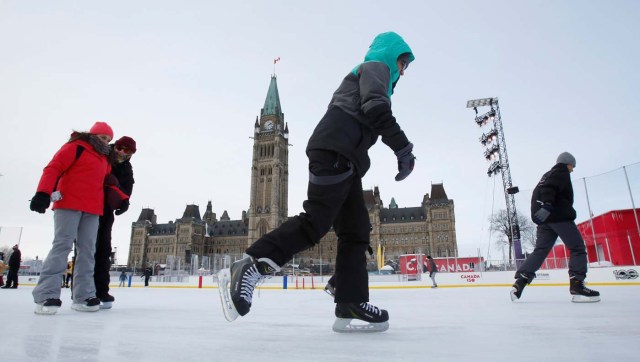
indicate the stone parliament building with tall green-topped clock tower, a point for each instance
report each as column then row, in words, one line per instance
column 428, row 228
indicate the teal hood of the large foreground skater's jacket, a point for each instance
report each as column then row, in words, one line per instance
column 386, row 48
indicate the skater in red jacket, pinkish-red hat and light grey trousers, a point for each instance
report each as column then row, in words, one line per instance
column 74, row 181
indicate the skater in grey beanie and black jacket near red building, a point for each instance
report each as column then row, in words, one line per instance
column 552, row 210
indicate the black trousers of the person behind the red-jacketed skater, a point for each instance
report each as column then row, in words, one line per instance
column 101, row 275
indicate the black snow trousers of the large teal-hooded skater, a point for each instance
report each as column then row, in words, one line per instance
column 334, row 198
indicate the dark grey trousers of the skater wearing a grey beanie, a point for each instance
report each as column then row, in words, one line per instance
column 546, row 236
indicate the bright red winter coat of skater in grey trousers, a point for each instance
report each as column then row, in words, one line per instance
column 81, row 180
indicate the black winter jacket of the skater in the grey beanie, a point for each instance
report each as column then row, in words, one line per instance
column 555, row 189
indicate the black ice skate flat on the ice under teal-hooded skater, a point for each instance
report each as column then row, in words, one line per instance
column 376, row 319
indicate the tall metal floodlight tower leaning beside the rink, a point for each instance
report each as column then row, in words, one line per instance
column 496, row 153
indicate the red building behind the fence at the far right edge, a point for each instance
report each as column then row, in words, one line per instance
column 613, row 238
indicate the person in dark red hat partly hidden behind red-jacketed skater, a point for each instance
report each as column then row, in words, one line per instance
column 122, row 178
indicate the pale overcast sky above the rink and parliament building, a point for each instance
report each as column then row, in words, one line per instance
column 187, row 80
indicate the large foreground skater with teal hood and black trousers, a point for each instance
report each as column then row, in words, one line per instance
column 359, row 113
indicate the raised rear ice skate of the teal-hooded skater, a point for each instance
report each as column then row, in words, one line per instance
column 236, row 284
